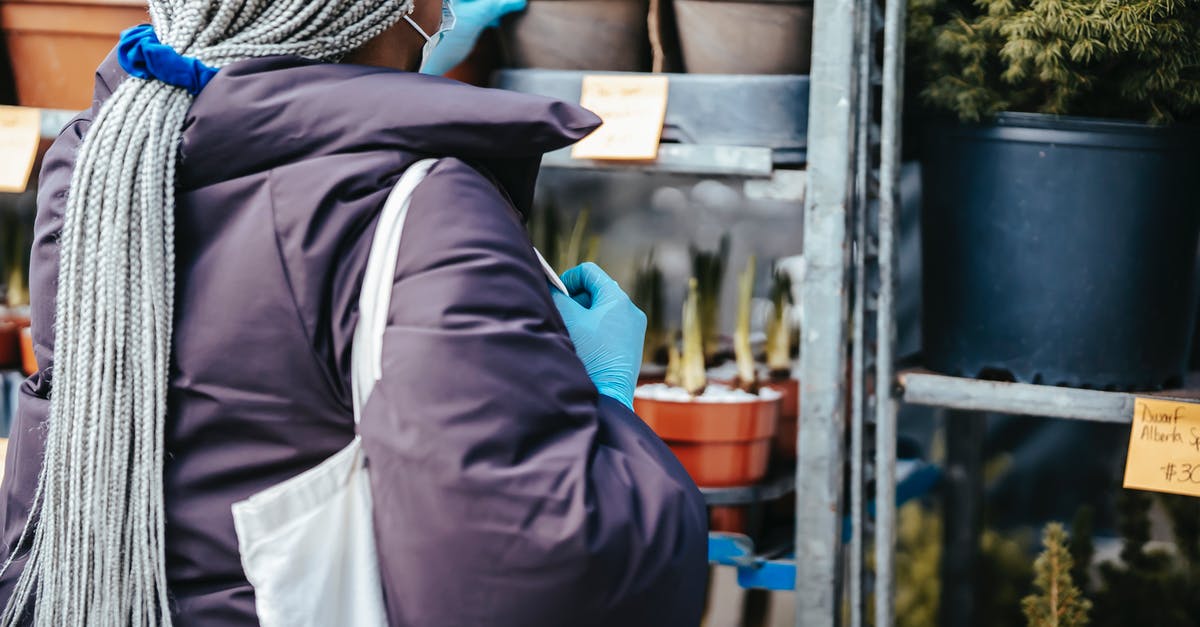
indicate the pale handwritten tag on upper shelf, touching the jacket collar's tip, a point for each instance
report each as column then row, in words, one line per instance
column 633, row 110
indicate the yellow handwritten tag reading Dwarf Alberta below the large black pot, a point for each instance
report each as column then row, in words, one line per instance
column 1165, row 447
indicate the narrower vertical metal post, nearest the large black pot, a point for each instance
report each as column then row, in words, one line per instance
column 886, row 333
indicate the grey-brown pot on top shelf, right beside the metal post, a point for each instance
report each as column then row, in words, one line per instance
column 746, row 38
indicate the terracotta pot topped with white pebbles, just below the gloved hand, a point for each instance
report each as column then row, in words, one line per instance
column 719, row 444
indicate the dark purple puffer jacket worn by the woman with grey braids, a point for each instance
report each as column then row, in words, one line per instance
column 507, row 492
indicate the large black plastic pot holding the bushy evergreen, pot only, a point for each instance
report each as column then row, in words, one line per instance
column 1060, row 252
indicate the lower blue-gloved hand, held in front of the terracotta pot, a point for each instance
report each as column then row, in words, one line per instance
column 607, row 329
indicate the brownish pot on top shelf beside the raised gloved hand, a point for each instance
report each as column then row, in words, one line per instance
column 596, row 35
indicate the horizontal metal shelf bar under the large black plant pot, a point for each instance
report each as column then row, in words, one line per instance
column 1027, row 399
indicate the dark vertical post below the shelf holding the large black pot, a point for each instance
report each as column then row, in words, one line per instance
column 963, row 492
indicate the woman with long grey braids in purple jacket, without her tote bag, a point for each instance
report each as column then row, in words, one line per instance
column 201, row 242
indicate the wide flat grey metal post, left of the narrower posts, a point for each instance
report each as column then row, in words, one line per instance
column 821, row 368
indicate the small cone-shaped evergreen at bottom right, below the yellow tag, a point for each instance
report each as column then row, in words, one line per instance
column 1058, row 602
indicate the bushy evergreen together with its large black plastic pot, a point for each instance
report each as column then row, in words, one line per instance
column 1060, row 188
